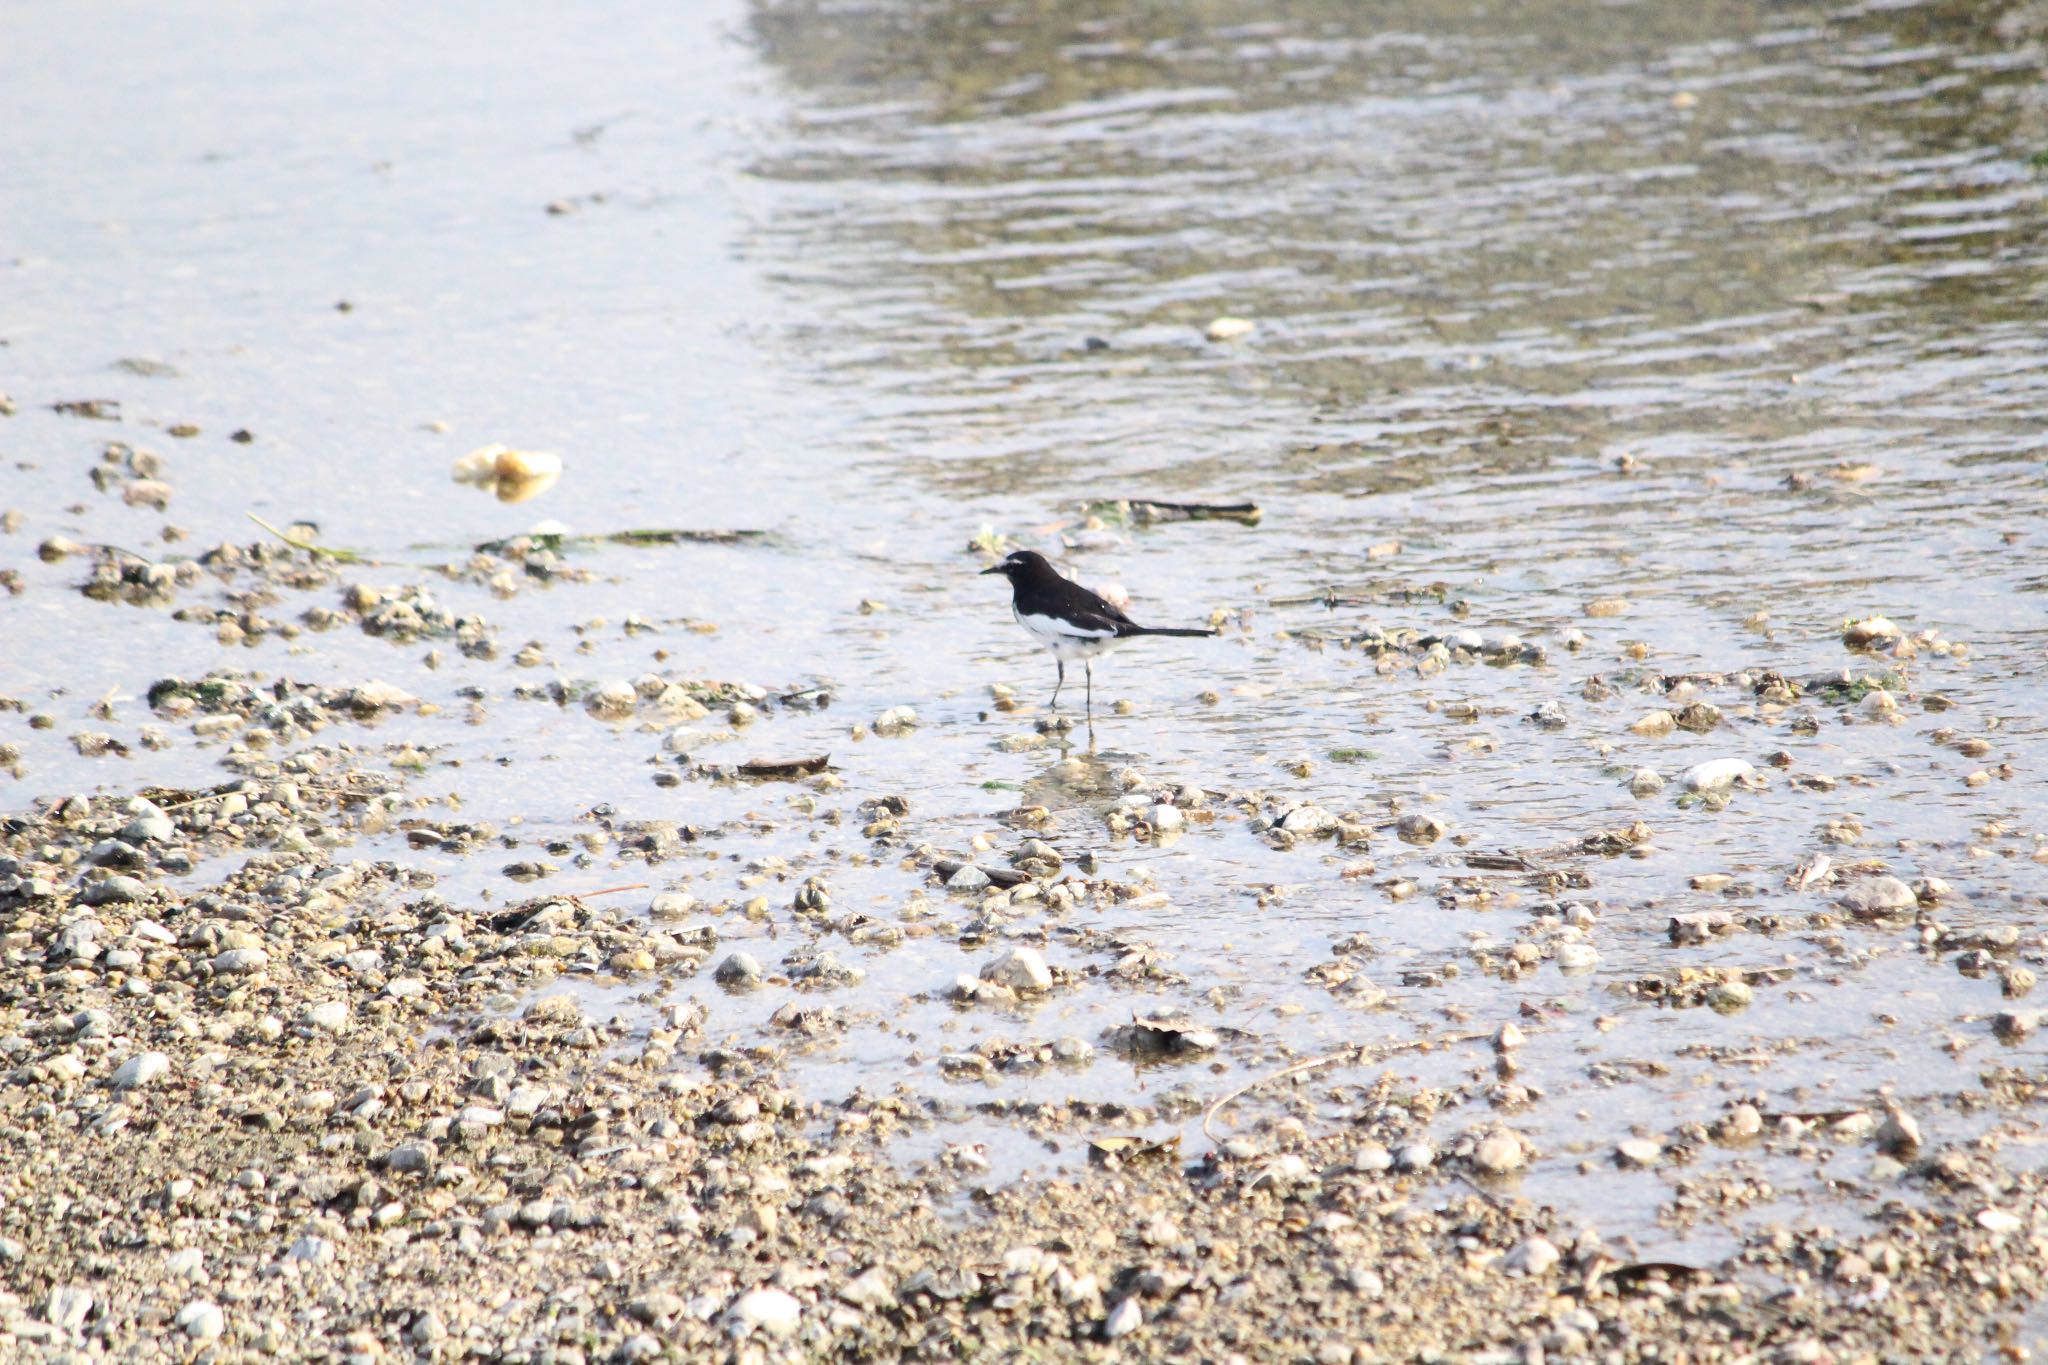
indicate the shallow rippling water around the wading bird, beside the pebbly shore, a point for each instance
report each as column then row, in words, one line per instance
column 1734, row 320
